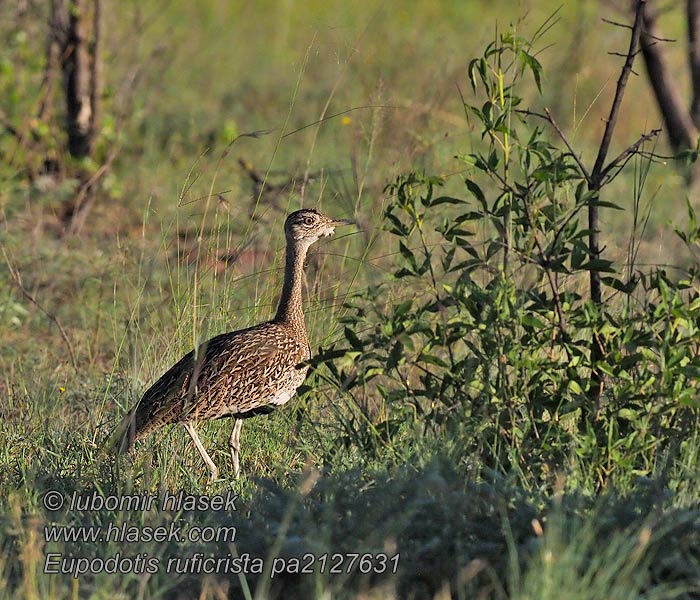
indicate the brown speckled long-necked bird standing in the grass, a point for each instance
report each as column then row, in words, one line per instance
column 239, row 374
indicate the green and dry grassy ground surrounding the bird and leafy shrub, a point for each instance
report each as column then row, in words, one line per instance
column 144, row 282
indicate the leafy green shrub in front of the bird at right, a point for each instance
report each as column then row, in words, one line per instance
column 495, row 344
